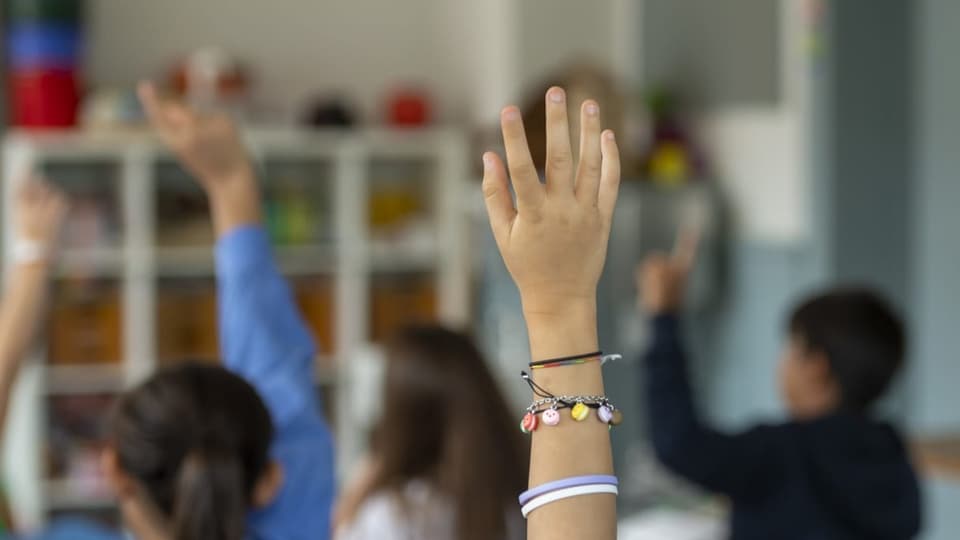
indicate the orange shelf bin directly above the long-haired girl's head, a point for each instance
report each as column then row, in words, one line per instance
column 401, row 300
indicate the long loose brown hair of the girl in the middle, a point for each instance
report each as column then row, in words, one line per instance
column 445, row 421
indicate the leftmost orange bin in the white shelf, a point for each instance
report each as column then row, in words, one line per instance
column 85, row 325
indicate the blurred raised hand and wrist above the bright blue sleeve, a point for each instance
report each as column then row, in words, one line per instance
column 209, row 147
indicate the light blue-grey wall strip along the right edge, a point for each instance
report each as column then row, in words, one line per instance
column 936, row 250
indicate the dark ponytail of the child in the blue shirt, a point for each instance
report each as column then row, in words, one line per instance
column 210, row 502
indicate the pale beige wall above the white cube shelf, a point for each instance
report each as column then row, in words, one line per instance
column 473, row 56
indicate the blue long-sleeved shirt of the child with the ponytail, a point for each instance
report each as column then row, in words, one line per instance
column 265, row 341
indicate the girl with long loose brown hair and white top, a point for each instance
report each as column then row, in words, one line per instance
column 448, row 460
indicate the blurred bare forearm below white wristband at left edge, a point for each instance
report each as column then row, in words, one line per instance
column 19, row 315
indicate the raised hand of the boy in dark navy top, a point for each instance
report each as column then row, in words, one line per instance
column 662, row 279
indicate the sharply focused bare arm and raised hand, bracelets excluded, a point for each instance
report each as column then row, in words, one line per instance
column 554, row 242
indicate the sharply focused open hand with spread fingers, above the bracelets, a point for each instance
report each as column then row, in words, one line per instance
column 554, row 242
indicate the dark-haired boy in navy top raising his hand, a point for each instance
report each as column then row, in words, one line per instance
column 831, row 470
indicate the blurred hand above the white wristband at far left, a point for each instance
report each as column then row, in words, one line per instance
column 41, row 209
